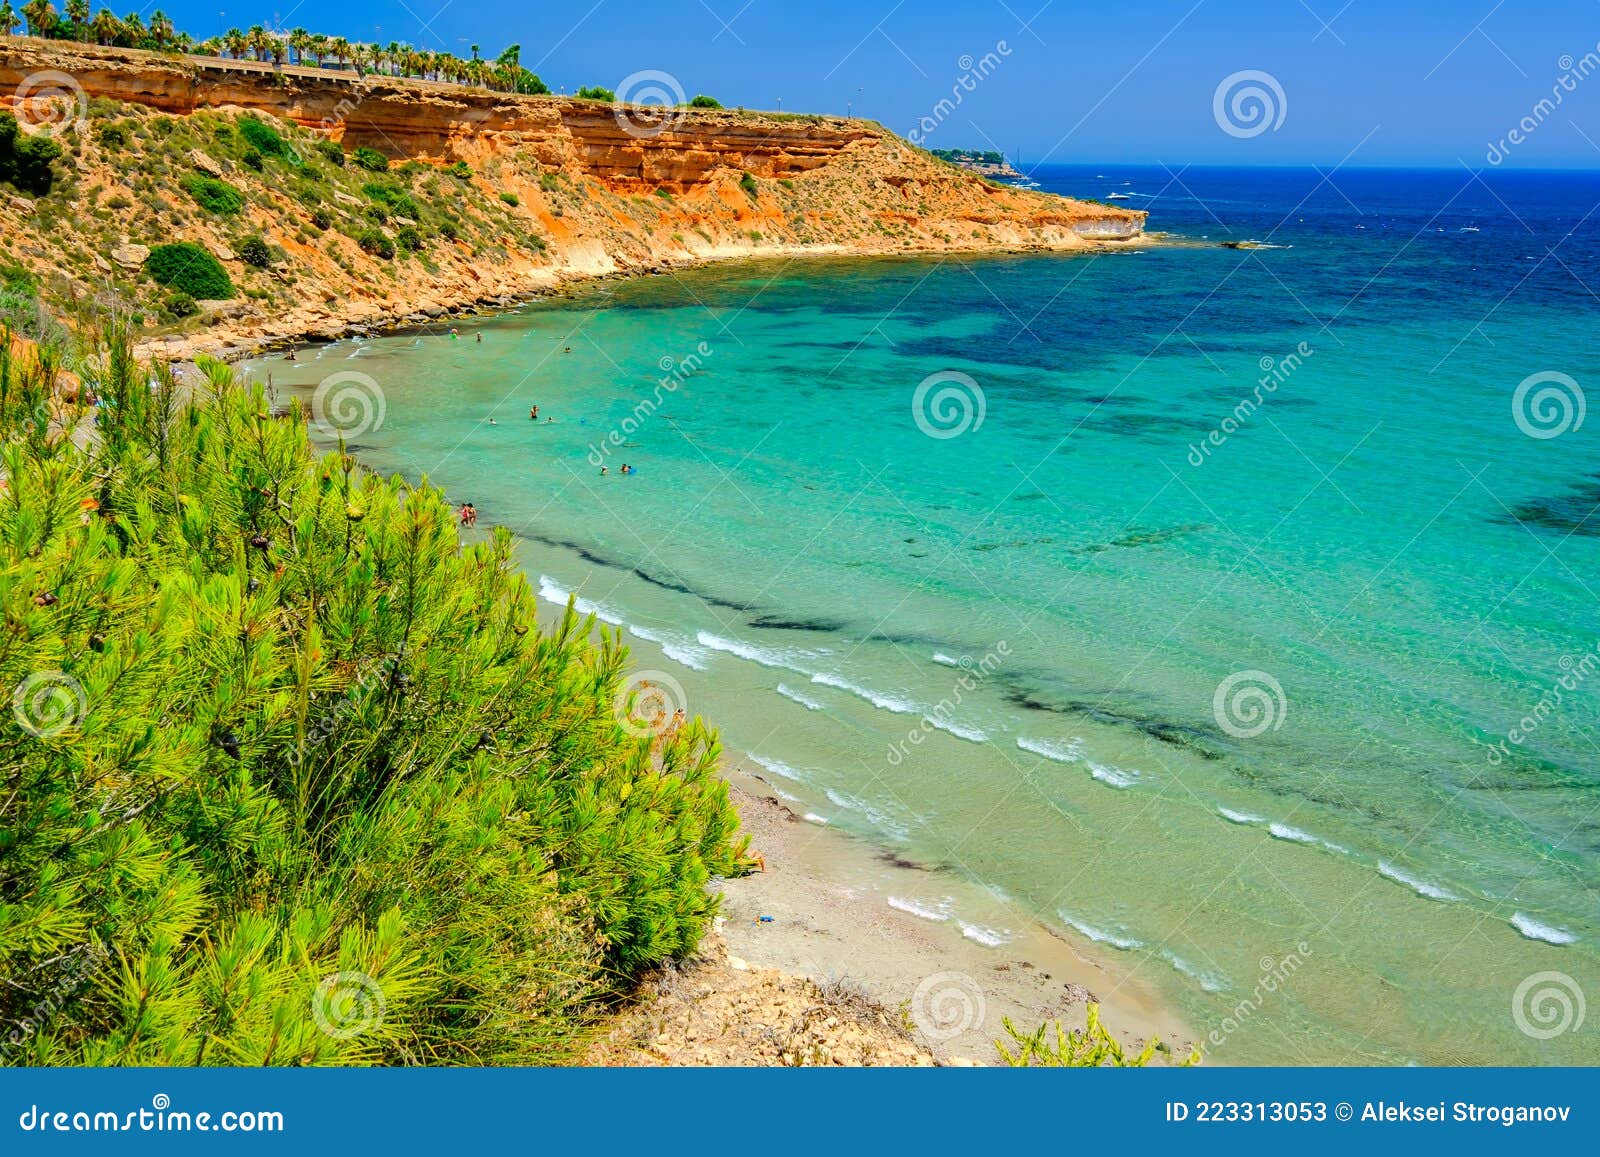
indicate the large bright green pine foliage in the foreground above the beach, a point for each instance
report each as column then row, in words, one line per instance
column 290, row 775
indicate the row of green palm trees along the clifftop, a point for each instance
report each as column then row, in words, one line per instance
column 294, row 47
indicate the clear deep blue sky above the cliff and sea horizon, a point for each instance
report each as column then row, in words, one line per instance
column 1364, row 82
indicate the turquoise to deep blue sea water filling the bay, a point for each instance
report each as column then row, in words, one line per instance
column 1209, row 703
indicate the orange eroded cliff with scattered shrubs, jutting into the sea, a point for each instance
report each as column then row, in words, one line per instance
column 559, row 188
